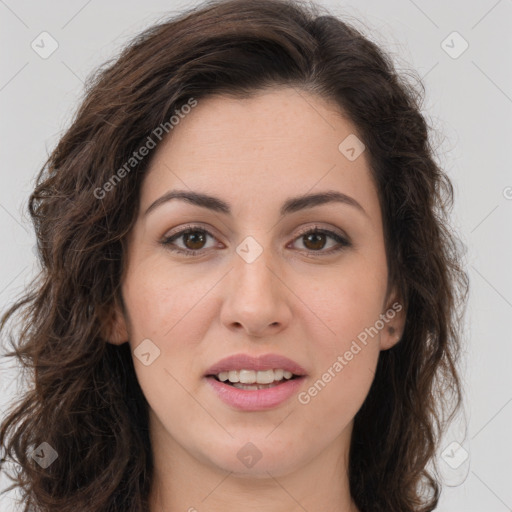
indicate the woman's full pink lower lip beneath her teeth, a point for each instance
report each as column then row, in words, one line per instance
column 255, row 399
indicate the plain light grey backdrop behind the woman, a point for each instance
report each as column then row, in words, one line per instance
column 468, row 80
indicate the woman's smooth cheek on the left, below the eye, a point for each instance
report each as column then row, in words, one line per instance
column 166, row 308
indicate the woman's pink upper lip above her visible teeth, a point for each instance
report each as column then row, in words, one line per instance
column 248, row 362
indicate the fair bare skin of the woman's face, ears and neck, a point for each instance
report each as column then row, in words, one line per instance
column 254, row 154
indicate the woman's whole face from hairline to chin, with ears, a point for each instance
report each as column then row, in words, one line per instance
column 249, row 280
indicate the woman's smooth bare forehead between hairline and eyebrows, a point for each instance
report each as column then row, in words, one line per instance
column 278, row 143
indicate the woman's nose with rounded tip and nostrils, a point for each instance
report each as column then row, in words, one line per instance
column 256, row 297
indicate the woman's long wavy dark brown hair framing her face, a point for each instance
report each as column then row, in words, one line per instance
column 84, row 399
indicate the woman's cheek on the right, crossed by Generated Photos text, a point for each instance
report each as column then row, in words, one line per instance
column 346, row 345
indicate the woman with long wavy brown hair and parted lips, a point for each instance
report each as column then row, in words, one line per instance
column 249, row 289
